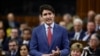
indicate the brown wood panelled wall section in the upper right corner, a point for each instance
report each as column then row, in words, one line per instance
column 83, row 6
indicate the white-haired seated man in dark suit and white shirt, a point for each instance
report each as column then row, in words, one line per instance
column 78, row 32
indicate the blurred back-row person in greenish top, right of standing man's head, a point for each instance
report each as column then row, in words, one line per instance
column 67, row 18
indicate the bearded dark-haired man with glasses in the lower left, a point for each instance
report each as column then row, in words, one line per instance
column 13, row 48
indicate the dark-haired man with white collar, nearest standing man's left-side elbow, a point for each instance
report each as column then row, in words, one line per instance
column 26, row 36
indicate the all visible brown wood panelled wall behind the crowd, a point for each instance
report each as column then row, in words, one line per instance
column 83, row 6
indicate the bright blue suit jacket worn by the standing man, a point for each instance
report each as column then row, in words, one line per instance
column 39, row 44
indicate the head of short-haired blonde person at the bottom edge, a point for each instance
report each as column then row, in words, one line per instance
column 76, row 49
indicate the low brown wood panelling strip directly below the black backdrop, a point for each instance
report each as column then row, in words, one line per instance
column 31, row 20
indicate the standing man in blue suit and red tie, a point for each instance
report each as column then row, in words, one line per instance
column 49, row 39
